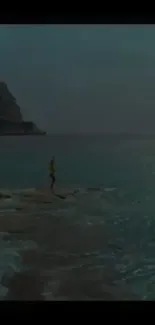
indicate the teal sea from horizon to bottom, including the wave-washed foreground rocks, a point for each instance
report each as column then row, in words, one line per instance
column 98, row 243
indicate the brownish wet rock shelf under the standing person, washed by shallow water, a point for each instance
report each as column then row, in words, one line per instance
column 66, row 262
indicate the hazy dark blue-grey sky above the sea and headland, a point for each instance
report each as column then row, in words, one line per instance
column 82, row 78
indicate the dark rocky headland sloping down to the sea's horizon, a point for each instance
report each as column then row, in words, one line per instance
column 11, row 120
